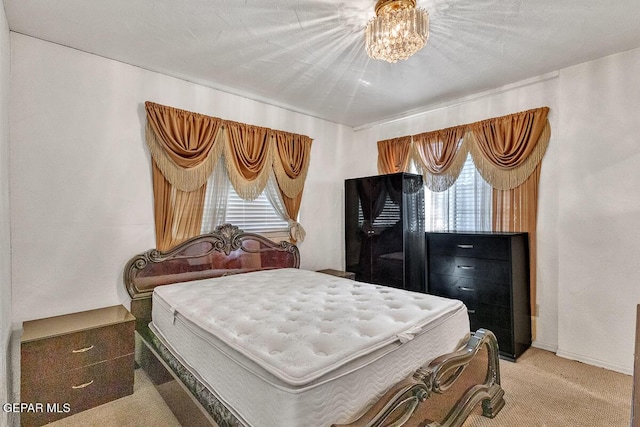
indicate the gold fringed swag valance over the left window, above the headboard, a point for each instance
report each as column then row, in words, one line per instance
column 186, row 147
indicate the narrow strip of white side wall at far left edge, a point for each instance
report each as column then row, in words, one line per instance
column 5, row 238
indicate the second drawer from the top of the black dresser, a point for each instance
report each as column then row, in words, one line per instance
column 475, row 268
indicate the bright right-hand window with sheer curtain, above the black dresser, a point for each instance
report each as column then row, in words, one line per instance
column 465, row 206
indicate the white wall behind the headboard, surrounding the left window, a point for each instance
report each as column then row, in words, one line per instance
column 81, row 190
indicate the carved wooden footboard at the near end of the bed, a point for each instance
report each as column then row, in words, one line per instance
column 408, row 402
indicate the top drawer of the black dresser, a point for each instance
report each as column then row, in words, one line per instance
column 468, row 245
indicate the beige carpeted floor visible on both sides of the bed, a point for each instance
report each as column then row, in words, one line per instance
column 541, row 390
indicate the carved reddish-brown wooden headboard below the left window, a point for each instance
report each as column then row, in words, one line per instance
column 227, row 250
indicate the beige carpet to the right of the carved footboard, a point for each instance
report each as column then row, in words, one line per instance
column 544, row 390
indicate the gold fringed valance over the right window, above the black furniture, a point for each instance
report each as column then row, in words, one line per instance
column 505, row 150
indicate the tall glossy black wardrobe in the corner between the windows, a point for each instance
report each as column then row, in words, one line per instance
column 384, row 230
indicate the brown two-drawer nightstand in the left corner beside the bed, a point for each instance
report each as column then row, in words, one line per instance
column 76, row 361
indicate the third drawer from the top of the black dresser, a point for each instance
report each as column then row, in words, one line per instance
column 470, row 290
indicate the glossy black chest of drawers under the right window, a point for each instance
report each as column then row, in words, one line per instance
column 489, row 272
